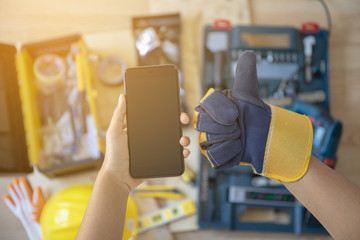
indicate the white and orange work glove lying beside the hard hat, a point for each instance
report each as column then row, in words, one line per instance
column 26, row 205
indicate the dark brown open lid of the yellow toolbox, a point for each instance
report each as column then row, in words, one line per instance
column 13, row 151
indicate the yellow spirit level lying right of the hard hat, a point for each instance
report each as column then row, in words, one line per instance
column 166, row 215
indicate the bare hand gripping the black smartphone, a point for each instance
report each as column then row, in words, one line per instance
column 116, row 161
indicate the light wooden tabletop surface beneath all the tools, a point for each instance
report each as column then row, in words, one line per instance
column 107, row 23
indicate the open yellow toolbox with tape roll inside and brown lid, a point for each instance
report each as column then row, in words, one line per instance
column 47, row 101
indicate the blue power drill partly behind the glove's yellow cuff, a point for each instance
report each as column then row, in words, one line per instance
column 327, row 131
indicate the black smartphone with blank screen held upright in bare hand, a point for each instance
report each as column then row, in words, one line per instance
column 153, row 121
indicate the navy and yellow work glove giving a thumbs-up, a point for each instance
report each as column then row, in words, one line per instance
column 237, row 128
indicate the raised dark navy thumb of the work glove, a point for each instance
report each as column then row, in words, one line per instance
column 246, row 85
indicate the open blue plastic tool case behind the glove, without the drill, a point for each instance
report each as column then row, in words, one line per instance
column 226, row 195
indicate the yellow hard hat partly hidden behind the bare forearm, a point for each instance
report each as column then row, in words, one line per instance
column 64, row 211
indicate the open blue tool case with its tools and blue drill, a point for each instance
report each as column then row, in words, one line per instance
column 292, row 68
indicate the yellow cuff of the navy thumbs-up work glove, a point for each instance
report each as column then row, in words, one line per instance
column 288, row 146
